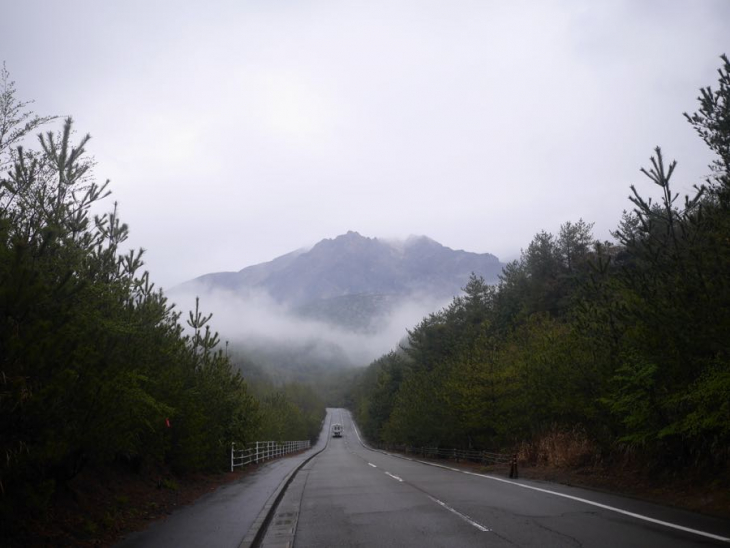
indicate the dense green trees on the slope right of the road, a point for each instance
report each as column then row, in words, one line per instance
column 625, row 345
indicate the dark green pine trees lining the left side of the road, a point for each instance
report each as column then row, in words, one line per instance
column 95, row 366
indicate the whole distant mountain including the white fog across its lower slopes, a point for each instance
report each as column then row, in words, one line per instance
column 341, row 303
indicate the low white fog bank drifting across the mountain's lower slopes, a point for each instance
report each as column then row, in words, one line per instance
column 271, row 332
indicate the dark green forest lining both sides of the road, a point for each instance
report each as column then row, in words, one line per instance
column 618, row 347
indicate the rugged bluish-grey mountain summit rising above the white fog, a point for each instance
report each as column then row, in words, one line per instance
column 354, row 265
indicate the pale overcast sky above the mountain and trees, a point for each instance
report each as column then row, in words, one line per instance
column 234, row 132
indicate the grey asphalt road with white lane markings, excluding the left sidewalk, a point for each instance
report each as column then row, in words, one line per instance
column 349, row 495
